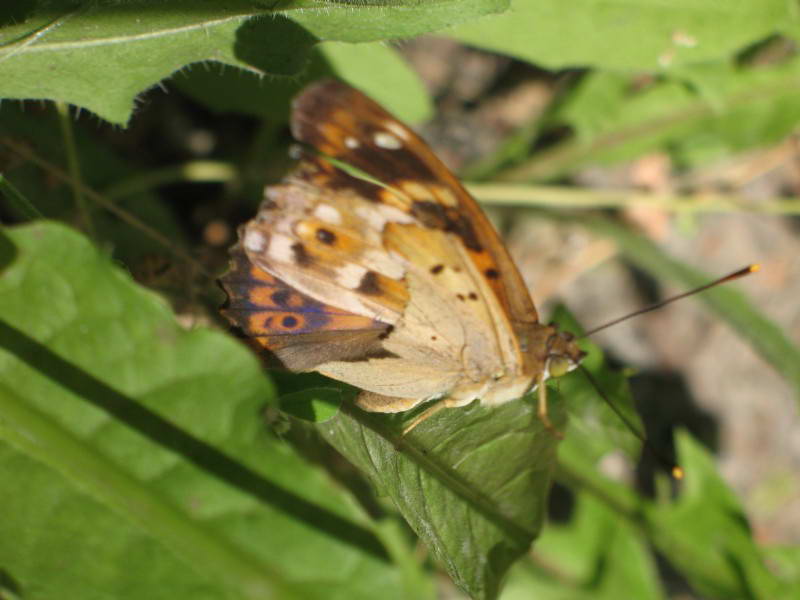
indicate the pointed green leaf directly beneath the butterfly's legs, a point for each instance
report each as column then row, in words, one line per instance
column 472, row 482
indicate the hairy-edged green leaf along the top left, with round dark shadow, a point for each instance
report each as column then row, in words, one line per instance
column 100, row 56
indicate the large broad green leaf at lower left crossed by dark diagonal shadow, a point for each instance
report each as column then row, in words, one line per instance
column 135, row 462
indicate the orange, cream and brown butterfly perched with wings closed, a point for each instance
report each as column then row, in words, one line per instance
column 371, row 264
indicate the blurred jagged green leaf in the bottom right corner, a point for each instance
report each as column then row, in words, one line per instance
column 704, row 533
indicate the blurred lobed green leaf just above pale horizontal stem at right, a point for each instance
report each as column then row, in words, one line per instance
column 693, row 115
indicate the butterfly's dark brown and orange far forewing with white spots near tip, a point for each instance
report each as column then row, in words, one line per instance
column 343, row 123
